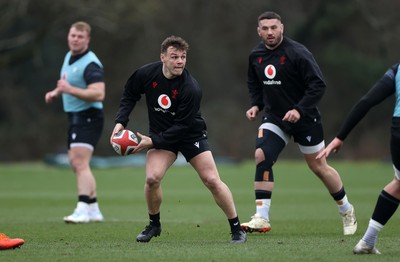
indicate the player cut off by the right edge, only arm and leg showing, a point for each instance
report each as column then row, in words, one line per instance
column 389, row 198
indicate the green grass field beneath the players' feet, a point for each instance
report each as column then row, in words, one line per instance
column 305, row 221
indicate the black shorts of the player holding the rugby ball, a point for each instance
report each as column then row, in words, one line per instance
column 188, row 149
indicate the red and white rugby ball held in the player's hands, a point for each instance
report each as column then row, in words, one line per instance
column 124, row 142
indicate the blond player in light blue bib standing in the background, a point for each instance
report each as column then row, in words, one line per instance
column 82, row 88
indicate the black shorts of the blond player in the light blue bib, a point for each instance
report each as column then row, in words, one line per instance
column 85, row 128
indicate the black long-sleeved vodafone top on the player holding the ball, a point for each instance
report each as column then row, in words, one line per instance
column 173, row 105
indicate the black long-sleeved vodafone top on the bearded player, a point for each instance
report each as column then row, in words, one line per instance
column 285, row 78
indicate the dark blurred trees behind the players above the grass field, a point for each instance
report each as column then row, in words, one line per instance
column 354, row 42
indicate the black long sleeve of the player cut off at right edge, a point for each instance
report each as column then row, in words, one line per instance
column 382, row 89
